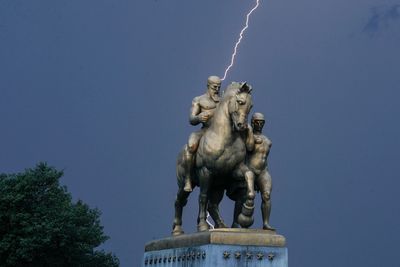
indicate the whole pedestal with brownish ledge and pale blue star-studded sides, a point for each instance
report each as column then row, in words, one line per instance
column 218, row 247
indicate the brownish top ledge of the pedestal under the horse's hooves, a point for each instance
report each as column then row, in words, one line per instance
column 225, row 236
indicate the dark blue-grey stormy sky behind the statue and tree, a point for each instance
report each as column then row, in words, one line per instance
column 102, row 89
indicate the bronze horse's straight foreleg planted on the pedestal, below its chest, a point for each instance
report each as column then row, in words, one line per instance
column 204, row 181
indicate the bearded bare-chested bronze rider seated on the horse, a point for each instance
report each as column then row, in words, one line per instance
column 202, row 110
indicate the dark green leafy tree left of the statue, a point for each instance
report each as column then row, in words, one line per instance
column 40, row 225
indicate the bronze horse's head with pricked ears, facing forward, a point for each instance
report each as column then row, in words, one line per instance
column 239, row 105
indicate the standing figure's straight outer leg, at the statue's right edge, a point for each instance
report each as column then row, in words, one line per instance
column 264, row 182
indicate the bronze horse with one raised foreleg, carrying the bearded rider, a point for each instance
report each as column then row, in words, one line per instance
column 219, row 158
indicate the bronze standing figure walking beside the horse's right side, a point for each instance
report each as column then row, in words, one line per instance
column 257, row 163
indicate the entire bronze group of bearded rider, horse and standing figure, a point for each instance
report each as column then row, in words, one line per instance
column 226, row 154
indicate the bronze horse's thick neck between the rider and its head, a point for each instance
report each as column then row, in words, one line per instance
column 221, row 124
